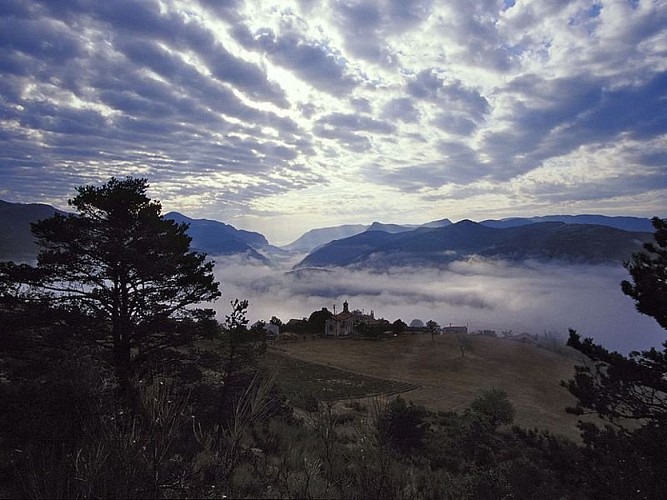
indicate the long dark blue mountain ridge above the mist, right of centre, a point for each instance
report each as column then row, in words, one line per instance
column 435, row 246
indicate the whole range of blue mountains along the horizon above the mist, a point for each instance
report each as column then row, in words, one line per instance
column 580, row 238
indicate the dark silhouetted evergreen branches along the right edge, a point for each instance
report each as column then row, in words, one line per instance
column 628, row 394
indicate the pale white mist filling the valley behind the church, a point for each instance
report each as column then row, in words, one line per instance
column 531, row 296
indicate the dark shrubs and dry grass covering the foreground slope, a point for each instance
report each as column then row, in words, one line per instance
column 67, row 433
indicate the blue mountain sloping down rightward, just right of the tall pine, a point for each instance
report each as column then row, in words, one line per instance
column 217, row 238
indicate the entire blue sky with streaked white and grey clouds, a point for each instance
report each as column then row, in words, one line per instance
column 280, row 116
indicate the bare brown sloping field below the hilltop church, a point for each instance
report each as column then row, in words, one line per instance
column 444, row 380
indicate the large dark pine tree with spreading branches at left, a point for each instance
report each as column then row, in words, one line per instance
column 118, row 261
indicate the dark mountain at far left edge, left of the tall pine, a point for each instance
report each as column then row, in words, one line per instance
column 17, row 243
